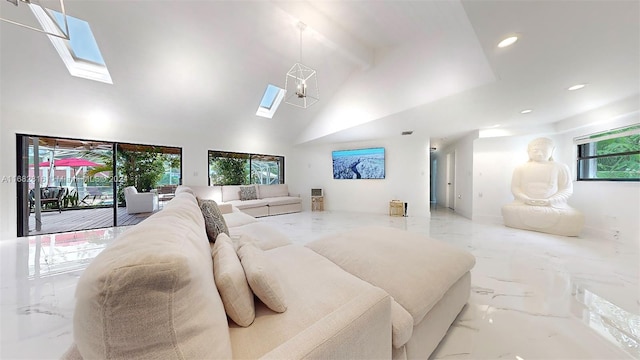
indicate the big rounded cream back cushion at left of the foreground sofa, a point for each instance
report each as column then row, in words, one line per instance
column 153, row 284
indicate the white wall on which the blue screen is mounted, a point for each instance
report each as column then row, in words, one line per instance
column 406, row 178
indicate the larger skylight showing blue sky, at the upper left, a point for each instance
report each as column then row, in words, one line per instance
column 80, row 54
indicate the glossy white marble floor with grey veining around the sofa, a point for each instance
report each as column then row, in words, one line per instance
column 534, row 296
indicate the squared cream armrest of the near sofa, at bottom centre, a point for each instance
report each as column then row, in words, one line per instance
column 360, row 329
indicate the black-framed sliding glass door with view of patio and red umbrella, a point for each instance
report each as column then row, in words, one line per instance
column 71, row 184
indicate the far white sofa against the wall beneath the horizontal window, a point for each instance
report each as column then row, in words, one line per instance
column 270, row 199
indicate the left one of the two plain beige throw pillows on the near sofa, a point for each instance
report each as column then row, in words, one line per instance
column 231, row 282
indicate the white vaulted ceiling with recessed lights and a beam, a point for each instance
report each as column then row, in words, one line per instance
column 383, row 66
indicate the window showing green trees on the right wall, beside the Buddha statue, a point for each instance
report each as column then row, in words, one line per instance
column 610, row 155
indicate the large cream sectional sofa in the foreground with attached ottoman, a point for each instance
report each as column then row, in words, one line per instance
column 153, row 293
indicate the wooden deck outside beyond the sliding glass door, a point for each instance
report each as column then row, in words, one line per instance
column 82, row 219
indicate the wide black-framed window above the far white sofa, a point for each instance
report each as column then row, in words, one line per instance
column 230, row 168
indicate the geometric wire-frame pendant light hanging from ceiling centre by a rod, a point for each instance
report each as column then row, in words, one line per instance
column 301, row 83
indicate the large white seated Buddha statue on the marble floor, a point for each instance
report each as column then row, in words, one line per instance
column 541, row 188
